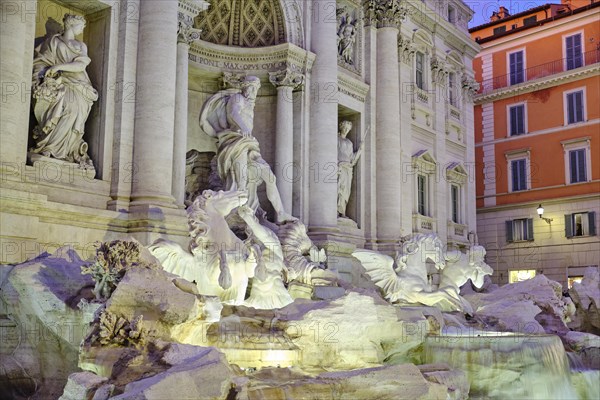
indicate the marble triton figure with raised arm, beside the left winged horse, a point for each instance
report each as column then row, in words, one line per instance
column 268, row 291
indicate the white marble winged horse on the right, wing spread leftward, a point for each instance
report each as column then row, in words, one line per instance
column 404, row 280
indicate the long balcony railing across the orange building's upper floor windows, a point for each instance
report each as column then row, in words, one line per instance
column 540, row 71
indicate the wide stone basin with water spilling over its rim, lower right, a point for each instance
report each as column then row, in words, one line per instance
column 505, row 365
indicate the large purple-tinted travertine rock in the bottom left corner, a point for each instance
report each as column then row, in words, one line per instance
column 41, row 296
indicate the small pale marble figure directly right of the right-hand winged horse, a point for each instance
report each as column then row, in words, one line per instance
column 461, row 267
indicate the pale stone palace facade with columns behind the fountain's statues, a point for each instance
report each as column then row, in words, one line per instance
column 400, row 71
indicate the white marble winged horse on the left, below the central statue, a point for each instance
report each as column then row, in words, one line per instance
column 219, row 262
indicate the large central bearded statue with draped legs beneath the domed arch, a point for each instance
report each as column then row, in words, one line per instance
column 229, row 116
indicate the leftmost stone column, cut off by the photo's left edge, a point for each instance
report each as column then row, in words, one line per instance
column 16, row 63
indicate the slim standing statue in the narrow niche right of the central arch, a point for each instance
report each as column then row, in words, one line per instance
column 347, row 159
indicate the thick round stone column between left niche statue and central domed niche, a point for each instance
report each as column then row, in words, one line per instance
column 155, row 104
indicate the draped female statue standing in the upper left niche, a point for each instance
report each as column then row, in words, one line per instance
column 63, row 95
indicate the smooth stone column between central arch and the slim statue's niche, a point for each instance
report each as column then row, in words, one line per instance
column 323, row 122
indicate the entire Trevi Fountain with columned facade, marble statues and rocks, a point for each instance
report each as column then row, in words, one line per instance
column 212, row 276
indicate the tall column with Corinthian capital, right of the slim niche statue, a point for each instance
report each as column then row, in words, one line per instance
column 388, row 149
